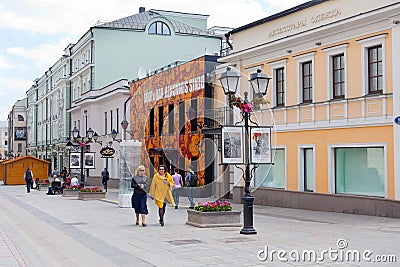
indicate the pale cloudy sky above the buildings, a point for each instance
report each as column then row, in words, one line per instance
column 34, row 33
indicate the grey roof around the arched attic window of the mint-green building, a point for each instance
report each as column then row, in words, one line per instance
column 140, row 20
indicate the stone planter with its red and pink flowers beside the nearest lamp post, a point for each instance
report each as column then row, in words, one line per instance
column 213, row 214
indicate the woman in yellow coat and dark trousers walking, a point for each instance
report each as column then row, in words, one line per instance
column 160, row 190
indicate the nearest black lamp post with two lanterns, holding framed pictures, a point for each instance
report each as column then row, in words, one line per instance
column 259, row 82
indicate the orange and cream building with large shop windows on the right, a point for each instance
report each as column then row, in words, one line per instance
column 333, row 98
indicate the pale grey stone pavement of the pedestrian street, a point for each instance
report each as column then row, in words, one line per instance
column 41, row 230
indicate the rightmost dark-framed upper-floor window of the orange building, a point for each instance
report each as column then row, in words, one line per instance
column 375, row 73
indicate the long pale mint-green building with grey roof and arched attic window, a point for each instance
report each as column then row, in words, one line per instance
column 127, row 48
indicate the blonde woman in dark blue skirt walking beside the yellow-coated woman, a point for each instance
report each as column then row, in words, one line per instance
column 139, row 198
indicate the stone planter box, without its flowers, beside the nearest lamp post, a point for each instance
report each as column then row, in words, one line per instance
column 213, row 219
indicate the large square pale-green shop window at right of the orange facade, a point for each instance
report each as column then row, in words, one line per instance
column 360, row 171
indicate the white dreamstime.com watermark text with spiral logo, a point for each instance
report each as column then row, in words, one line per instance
column 339, row 254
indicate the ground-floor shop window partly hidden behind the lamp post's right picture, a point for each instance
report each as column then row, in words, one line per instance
column 272, row 175
